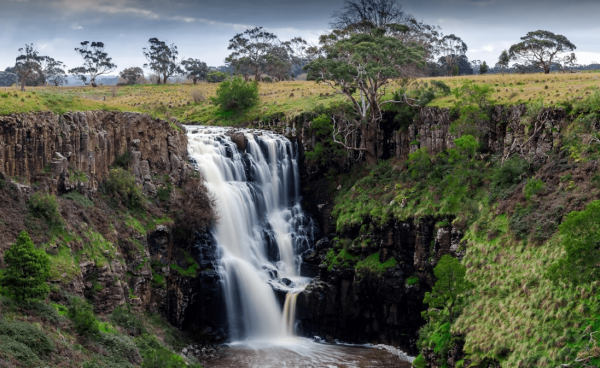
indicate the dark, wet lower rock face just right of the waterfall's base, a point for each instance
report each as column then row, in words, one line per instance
column 376, row 307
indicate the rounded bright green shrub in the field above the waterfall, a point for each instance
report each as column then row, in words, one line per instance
column 236, row 94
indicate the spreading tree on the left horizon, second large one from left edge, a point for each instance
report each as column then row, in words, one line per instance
column 95, row 62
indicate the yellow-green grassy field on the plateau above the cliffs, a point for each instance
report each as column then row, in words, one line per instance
column 284, row 100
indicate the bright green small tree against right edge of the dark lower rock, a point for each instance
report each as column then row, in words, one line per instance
column 449, row 287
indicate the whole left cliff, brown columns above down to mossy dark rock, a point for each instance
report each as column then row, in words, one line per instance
column 149, row 265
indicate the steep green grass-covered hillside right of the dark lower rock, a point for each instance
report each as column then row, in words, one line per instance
column 530, row 235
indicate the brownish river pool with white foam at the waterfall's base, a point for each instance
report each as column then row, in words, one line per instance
column 301, row 352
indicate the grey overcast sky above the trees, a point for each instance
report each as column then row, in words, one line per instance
column 202, row 28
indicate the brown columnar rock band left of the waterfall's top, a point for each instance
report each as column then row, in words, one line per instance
column 77, row 149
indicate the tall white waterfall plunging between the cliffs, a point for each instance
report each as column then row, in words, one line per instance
column 262, row 230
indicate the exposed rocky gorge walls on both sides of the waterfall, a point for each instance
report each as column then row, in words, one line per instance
column 165, row 268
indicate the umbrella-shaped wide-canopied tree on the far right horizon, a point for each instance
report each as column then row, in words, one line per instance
column 541, row 48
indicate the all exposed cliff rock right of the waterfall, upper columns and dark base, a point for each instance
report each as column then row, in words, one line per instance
column 356, row 306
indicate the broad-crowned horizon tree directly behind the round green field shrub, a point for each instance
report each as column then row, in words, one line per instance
column 251, row 50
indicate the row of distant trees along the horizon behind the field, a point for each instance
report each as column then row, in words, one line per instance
column 260, row 55
